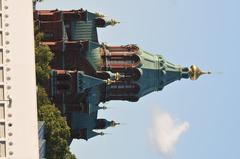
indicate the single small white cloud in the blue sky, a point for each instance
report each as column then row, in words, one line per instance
column 166, row 131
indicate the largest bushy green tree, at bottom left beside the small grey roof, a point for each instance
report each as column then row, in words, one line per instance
column 56, row 131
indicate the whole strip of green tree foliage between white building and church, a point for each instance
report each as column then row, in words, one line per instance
column 57, row 131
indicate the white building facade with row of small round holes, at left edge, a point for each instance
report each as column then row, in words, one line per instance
column 18, row 106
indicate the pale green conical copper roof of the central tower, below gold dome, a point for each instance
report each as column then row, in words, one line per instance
column 157, row 73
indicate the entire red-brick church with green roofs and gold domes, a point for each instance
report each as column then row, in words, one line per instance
column 85, row 72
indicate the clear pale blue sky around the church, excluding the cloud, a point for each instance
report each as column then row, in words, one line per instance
column 185, row 32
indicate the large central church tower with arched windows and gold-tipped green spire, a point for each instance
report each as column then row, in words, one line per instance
column 137, row 72
